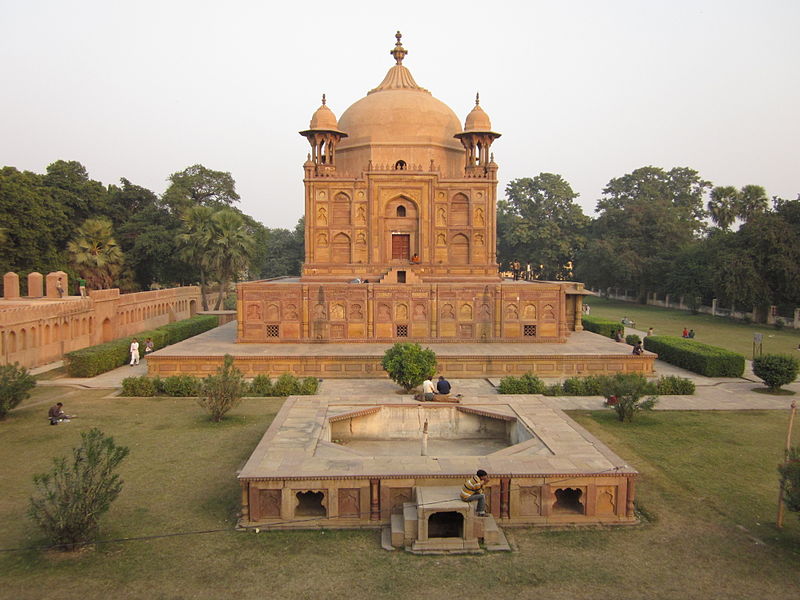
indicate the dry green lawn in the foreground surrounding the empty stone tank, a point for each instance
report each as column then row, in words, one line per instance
column 708, row 488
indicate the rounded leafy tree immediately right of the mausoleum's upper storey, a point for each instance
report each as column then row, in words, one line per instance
column 540, row 222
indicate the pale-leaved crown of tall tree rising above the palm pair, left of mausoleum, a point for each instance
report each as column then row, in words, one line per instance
column 200, row 186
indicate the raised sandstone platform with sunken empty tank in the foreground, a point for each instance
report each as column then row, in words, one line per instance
column 305, row 473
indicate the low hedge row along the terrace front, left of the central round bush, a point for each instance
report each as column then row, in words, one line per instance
column 190, row 386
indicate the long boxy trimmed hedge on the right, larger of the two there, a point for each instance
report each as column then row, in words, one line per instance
column 696, row 356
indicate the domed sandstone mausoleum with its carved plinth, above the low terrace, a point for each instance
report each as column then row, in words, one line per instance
column 398, row 195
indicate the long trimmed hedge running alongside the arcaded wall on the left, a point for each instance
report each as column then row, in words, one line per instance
column 91, row 361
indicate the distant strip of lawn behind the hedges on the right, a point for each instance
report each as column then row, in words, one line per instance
column 716, row 331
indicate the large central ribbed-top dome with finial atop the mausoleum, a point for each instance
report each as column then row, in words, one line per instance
column 399, row 120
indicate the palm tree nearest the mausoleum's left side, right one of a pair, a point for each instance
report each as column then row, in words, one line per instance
column 232, row 247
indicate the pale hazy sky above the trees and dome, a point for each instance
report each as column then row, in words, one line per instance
column 590, row 90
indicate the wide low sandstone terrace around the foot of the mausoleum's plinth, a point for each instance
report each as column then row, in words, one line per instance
column 584, row 354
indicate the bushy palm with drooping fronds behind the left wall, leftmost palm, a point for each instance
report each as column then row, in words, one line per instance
column 95, row 253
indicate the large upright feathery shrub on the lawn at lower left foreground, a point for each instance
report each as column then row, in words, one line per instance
column 72, row 497
